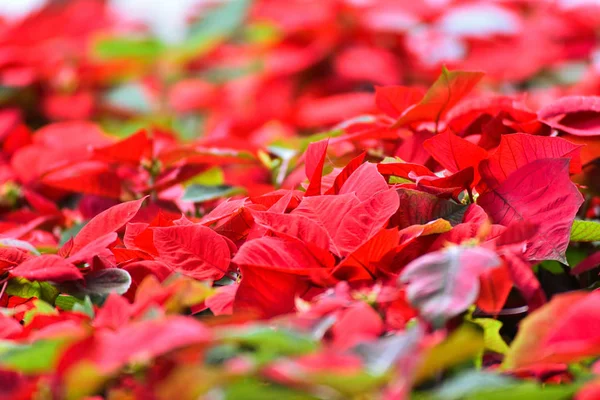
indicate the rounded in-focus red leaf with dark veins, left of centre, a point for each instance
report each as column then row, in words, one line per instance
column 193, row 250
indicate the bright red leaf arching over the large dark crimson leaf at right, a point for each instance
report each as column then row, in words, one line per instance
column 518, row 150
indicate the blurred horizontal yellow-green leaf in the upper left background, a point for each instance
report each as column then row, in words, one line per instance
column 127, row 47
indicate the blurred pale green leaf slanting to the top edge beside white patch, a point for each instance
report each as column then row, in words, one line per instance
column 216, row 26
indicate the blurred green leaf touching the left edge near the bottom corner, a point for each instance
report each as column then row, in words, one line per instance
column 38, row 357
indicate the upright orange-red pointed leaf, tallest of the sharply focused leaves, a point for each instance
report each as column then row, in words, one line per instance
column 445, row 92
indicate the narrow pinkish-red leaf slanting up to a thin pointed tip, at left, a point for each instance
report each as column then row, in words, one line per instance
column 106, row 222
